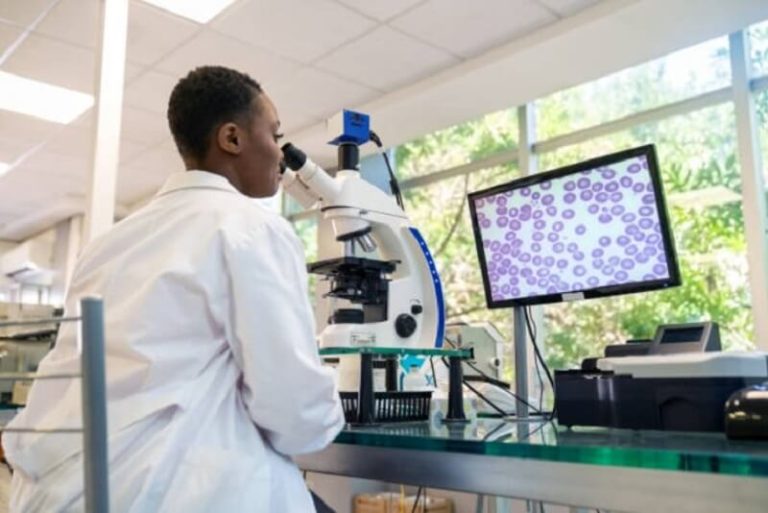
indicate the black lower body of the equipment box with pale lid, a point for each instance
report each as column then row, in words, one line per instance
column 622, row 401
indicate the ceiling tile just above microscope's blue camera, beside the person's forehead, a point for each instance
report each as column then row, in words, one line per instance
column 317, row 93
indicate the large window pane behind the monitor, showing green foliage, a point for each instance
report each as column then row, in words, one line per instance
column 697, row 156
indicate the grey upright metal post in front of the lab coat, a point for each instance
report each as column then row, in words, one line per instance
column 94, row 407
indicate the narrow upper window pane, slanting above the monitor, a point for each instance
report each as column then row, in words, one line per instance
column 701, row 68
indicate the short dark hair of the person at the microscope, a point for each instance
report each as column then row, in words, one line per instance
column 207, row 97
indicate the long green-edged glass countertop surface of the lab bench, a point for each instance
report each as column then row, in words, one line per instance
column 541, row 440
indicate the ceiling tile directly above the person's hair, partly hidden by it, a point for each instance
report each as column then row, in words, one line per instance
column 211, row 48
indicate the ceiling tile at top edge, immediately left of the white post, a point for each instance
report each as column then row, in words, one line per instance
column 73, row 21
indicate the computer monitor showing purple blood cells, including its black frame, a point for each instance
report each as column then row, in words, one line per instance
column 593, row 229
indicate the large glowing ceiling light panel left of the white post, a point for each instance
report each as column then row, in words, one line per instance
column 41, row 100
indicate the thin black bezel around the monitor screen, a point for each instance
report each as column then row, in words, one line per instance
column 647, row 151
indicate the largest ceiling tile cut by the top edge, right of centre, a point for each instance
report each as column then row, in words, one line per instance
column 463, row 28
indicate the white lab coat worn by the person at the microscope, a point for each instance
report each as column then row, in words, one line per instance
column 213, row 376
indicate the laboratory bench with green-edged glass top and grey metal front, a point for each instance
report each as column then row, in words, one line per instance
column 609, row 469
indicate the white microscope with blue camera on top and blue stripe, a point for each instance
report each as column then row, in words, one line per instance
column 386, row 282
